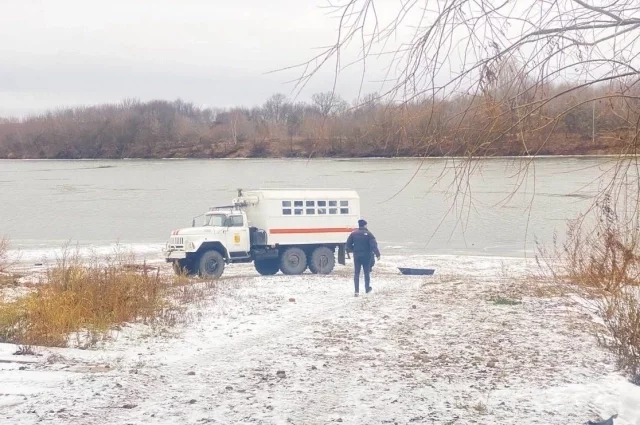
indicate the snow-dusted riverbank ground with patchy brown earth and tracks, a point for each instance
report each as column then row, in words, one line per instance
column 303, row 350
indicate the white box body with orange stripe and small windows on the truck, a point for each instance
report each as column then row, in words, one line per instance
column 302, row 216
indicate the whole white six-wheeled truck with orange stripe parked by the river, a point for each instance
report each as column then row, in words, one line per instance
column 286, row 230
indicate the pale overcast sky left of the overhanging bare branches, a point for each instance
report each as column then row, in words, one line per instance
column 213, row 53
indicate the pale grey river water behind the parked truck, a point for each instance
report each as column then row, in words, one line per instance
column 410, row 204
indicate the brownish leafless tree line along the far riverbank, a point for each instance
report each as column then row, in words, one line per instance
column 498, row 121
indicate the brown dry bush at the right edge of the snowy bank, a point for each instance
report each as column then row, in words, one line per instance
column 603, row 265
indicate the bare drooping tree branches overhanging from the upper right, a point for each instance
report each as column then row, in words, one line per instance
column 501, row 61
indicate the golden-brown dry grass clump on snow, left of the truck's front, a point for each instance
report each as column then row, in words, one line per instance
column 87, row 299
